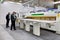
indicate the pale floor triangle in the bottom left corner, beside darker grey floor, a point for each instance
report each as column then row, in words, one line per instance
column 4, row 35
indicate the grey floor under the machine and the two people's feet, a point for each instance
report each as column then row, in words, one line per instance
column 23, row 35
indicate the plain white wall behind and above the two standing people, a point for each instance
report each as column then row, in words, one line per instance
column 8, row 7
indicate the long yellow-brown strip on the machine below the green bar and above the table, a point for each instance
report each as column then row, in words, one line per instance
column 42, row 17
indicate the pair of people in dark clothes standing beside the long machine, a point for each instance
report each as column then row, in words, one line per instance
column 11, row 17
